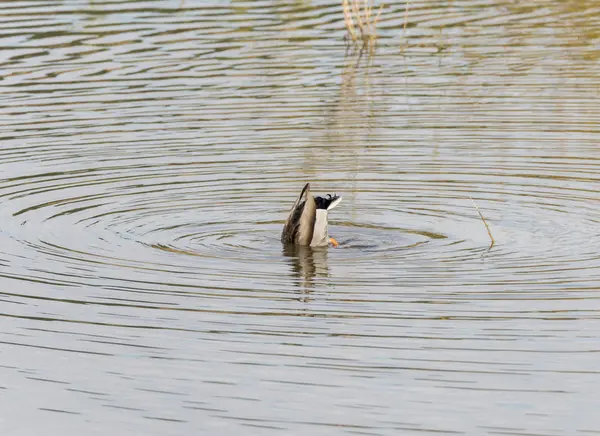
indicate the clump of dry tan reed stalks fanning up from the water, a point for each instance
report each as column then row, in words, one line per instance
column 360, row 22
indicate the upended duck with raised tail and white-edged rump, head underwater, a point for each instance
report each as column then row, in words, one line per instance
column 307, row 222
